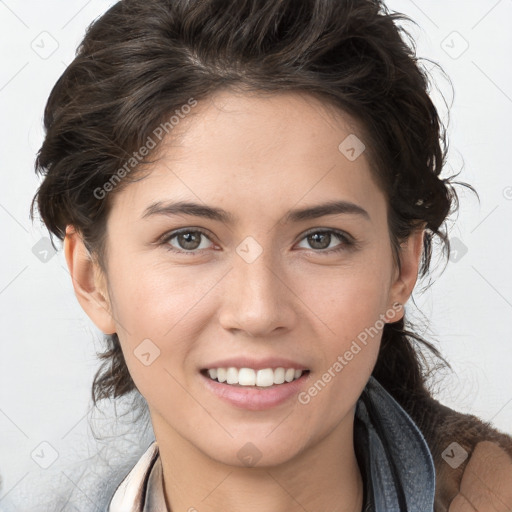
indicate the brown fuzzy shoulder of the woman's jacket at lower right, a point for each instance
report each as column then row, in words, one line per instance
column 473, row 460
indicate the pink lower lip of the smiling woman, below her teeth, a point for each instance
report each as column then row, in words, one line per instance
column 256, row 399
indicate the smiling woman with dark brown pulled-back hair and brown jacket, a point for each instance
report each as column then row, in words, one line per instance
column 247, row 192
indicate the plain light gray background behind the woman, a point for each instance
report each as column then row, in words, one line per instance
column 48, row 343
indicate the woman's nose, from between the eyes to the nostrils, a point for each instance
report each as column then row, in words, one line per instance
column 257, row 298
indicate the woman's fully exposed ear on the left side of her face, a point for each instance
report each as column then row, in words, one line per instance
column 89, row 282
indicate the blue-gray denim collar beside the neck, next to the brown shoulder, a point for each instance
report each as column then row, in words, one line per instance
column 397, row 466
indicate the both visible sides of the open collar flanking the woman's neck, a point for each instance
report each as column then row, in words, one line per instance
column 396, row 464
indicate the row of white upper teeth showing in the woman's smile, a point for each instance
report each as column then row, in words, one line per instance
column 248, row 377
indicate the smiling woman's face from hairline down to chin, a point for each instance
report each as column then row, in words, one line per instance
column 262, row 288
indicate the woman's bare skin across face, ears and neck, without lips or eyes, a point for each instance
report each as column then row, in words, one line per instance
column 257, row 157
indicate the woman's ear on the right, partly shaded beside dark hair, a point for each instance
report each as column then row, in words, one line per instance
column 405, row 279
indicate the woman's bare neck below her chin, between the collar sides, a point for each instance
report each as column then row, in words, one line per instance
column 324, row 476
